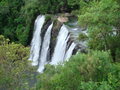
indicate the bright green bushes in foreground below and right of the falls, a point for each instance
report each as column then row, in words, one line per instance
column 93, row 71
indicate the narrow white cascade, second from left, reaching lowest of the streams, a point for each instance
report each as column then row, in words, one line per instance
column 45, row 48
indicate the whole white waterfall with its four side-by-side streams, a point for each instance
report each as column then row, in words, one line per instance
column 40, row 50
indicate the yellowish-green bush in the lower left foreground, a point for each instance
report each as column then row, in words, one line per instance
column 15, row 70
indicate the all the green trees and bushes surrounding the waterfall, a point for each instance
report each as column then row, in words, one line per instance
column 99, row 69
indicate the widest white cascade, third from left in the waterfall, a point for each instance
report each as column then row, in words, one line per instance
column 60, row 48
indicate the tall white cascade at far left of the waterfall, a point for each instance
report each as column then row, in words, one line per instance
column 36, row 41
